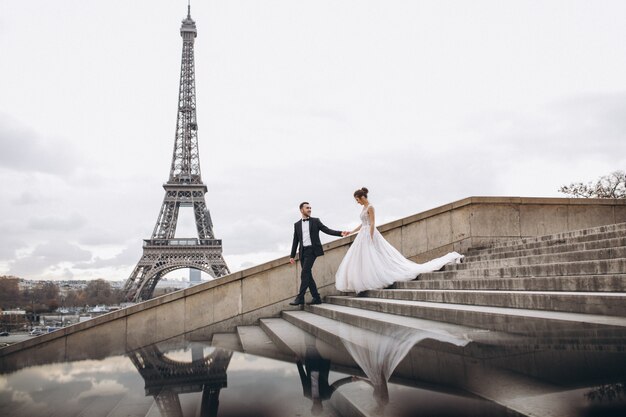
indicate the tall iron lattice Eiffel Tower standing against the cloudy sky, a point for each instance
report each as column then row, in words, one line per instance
column 163, row 253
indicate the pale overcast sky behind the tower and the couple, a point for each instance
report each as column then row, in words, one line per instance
column 423, row 102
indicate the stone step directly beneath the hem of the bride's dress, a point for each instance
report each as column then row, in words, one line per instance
column 607, row 303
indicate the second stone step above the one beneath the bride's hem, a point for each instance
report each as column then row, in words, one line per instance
column 597, row 267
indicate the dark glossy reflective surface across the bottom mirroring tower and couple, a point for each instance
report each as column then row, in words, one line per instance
column 431, row 370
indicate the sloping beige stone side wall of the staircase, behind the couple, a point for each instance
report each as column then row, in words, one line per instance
column 265, row 290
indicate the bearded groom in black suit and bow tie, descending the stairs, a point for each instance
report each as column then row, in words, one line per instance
column 306, row 235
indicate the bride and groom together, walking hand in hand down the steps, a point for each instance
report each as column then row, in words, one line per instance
column 371, row 262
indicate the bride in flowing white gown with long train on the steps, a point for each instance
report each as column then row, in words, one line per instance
column 372, row 263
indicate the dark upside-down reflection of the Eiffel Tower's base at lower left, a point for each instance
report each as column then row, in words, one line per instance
column 165, row 378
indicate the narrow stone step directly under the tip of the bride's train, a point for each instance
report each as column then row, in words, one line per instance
column 586, row 255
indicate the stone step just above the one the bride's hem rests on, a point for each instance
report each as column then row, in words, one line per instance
column 588, row 283
